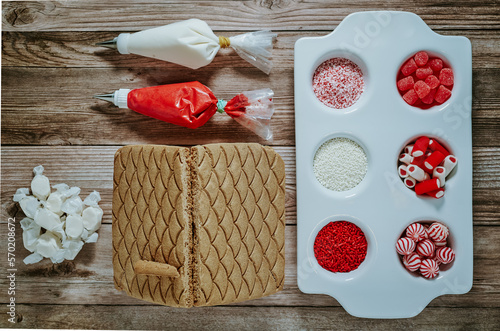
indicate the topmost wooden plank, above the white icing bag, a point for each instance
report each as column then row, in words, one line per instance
column 232, row 15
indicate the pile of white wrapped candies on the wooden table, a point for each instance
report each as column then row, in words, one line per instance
column 57, row 224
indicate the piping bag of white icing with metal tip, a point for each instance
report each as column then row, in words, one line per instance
column 193, row 44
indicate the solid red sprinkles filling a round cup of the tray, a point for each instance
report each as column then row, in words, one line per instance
column 340, row 246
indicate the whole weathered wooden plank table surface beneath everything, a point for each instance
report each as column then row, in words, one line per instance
column 50, row 70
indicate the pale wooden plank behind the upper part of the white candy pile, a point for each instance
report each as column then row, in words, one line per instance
column 91, row 168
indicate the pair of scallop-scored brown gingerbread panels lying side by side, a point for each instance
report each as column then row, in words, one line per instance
column 214, row 212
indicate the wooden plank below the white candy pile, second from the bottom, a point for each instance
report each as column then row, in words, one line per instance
column 89, row 278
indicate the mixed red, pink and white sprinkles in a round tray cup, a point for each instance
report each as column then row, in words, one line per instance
column 338, row 83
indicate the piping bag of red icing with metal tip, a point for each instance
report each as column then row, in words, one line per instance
column 192, row 104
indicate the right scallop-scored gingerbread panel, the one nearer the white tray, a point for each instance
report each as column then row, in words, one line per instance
column 240, row 197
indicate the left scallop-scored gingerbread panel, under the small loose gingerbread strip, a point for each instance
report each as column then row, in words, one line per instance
column 150, row 221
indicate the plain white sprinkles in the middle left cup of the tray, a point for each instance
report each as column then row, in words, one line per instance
column 340, row 164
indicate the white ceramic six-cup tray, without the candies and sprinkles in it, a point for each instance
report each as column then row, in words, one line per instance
column 382, row 123
